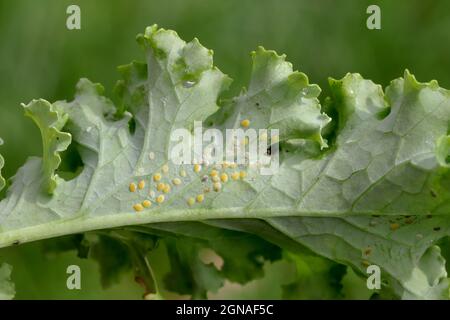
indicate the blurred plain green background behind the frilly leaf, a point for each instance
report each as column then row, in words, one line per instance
column 40, row 58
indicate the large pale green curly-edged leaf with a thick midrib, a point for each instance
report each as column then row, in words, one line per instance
column 370, row 186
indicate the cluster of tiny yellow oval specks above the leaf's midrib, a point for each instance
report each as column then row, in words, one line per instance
column 217, row 177
